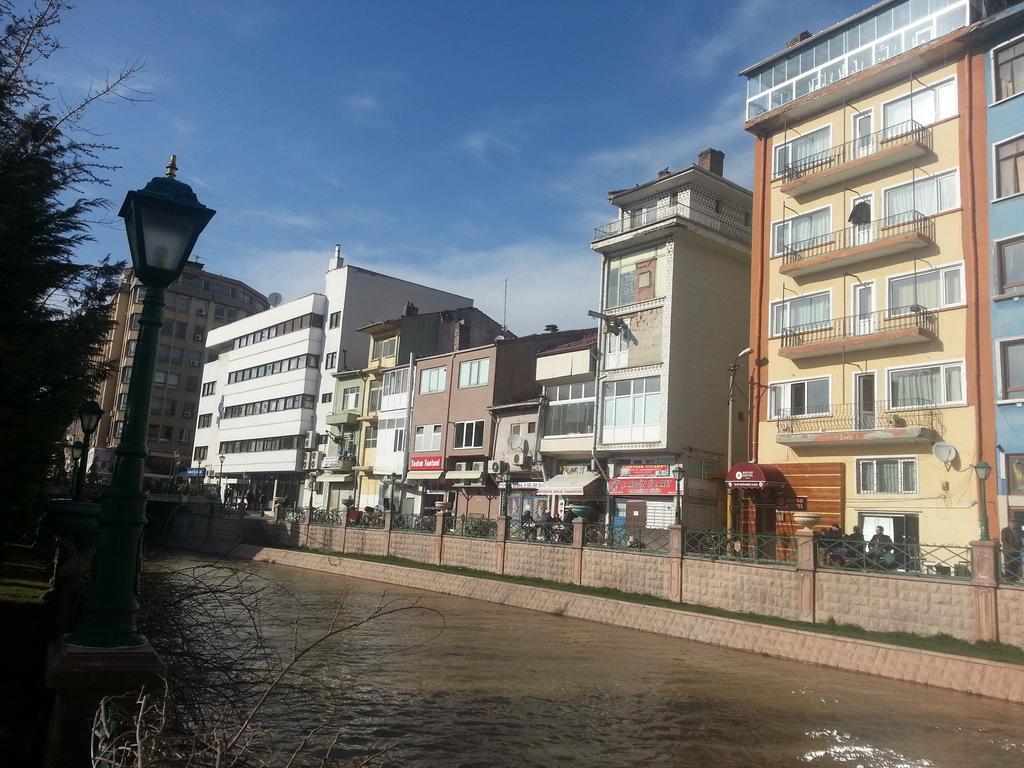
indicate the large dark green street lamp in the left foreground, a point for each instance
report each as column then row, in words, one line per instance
column 163, row 222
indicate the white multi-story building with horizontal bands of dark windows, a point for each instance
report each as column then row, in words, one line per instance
column 268, row 382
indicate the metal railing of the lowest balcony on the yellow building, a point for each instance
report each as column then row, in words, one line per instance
column 908, row 412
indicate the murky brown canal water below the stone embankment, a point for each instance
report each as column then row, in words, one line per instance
column 478, row 685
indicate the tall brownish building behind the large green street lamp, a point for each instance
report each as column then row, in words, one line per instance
column 198, row 303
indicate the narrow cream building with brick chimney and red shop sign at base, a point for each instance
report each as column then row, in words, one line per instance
column 676, row 264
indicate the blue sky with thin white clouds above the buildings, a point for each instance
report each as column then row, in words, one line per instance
column 459, row 145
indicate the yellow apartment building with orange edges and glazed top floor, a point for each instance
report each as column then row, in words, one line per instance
column 870, row 287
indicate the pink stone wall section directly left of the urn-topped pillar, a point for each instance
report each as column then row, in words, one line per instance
column 748, row 588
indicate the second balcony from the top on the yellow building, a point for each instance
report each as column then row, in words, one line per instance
column 905, row 232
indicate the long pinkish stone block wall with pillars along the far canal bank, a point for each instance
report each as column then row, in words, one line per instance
column 970, row 609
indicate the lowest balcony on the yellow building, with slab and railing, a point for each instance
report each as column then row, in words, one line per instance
column 907, row 421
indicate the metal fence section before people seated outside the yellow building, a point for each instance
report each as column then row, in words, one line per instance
column 910, row 559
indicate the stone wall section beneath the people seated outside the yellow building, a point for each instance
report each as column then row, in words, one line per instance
column 892, row 604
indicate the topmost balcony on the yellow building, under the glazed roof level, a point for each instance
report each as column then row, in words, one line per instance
column 898, row 144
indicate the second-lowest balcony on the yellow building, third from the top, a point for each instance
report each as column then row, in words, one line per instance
column 887, row 328
